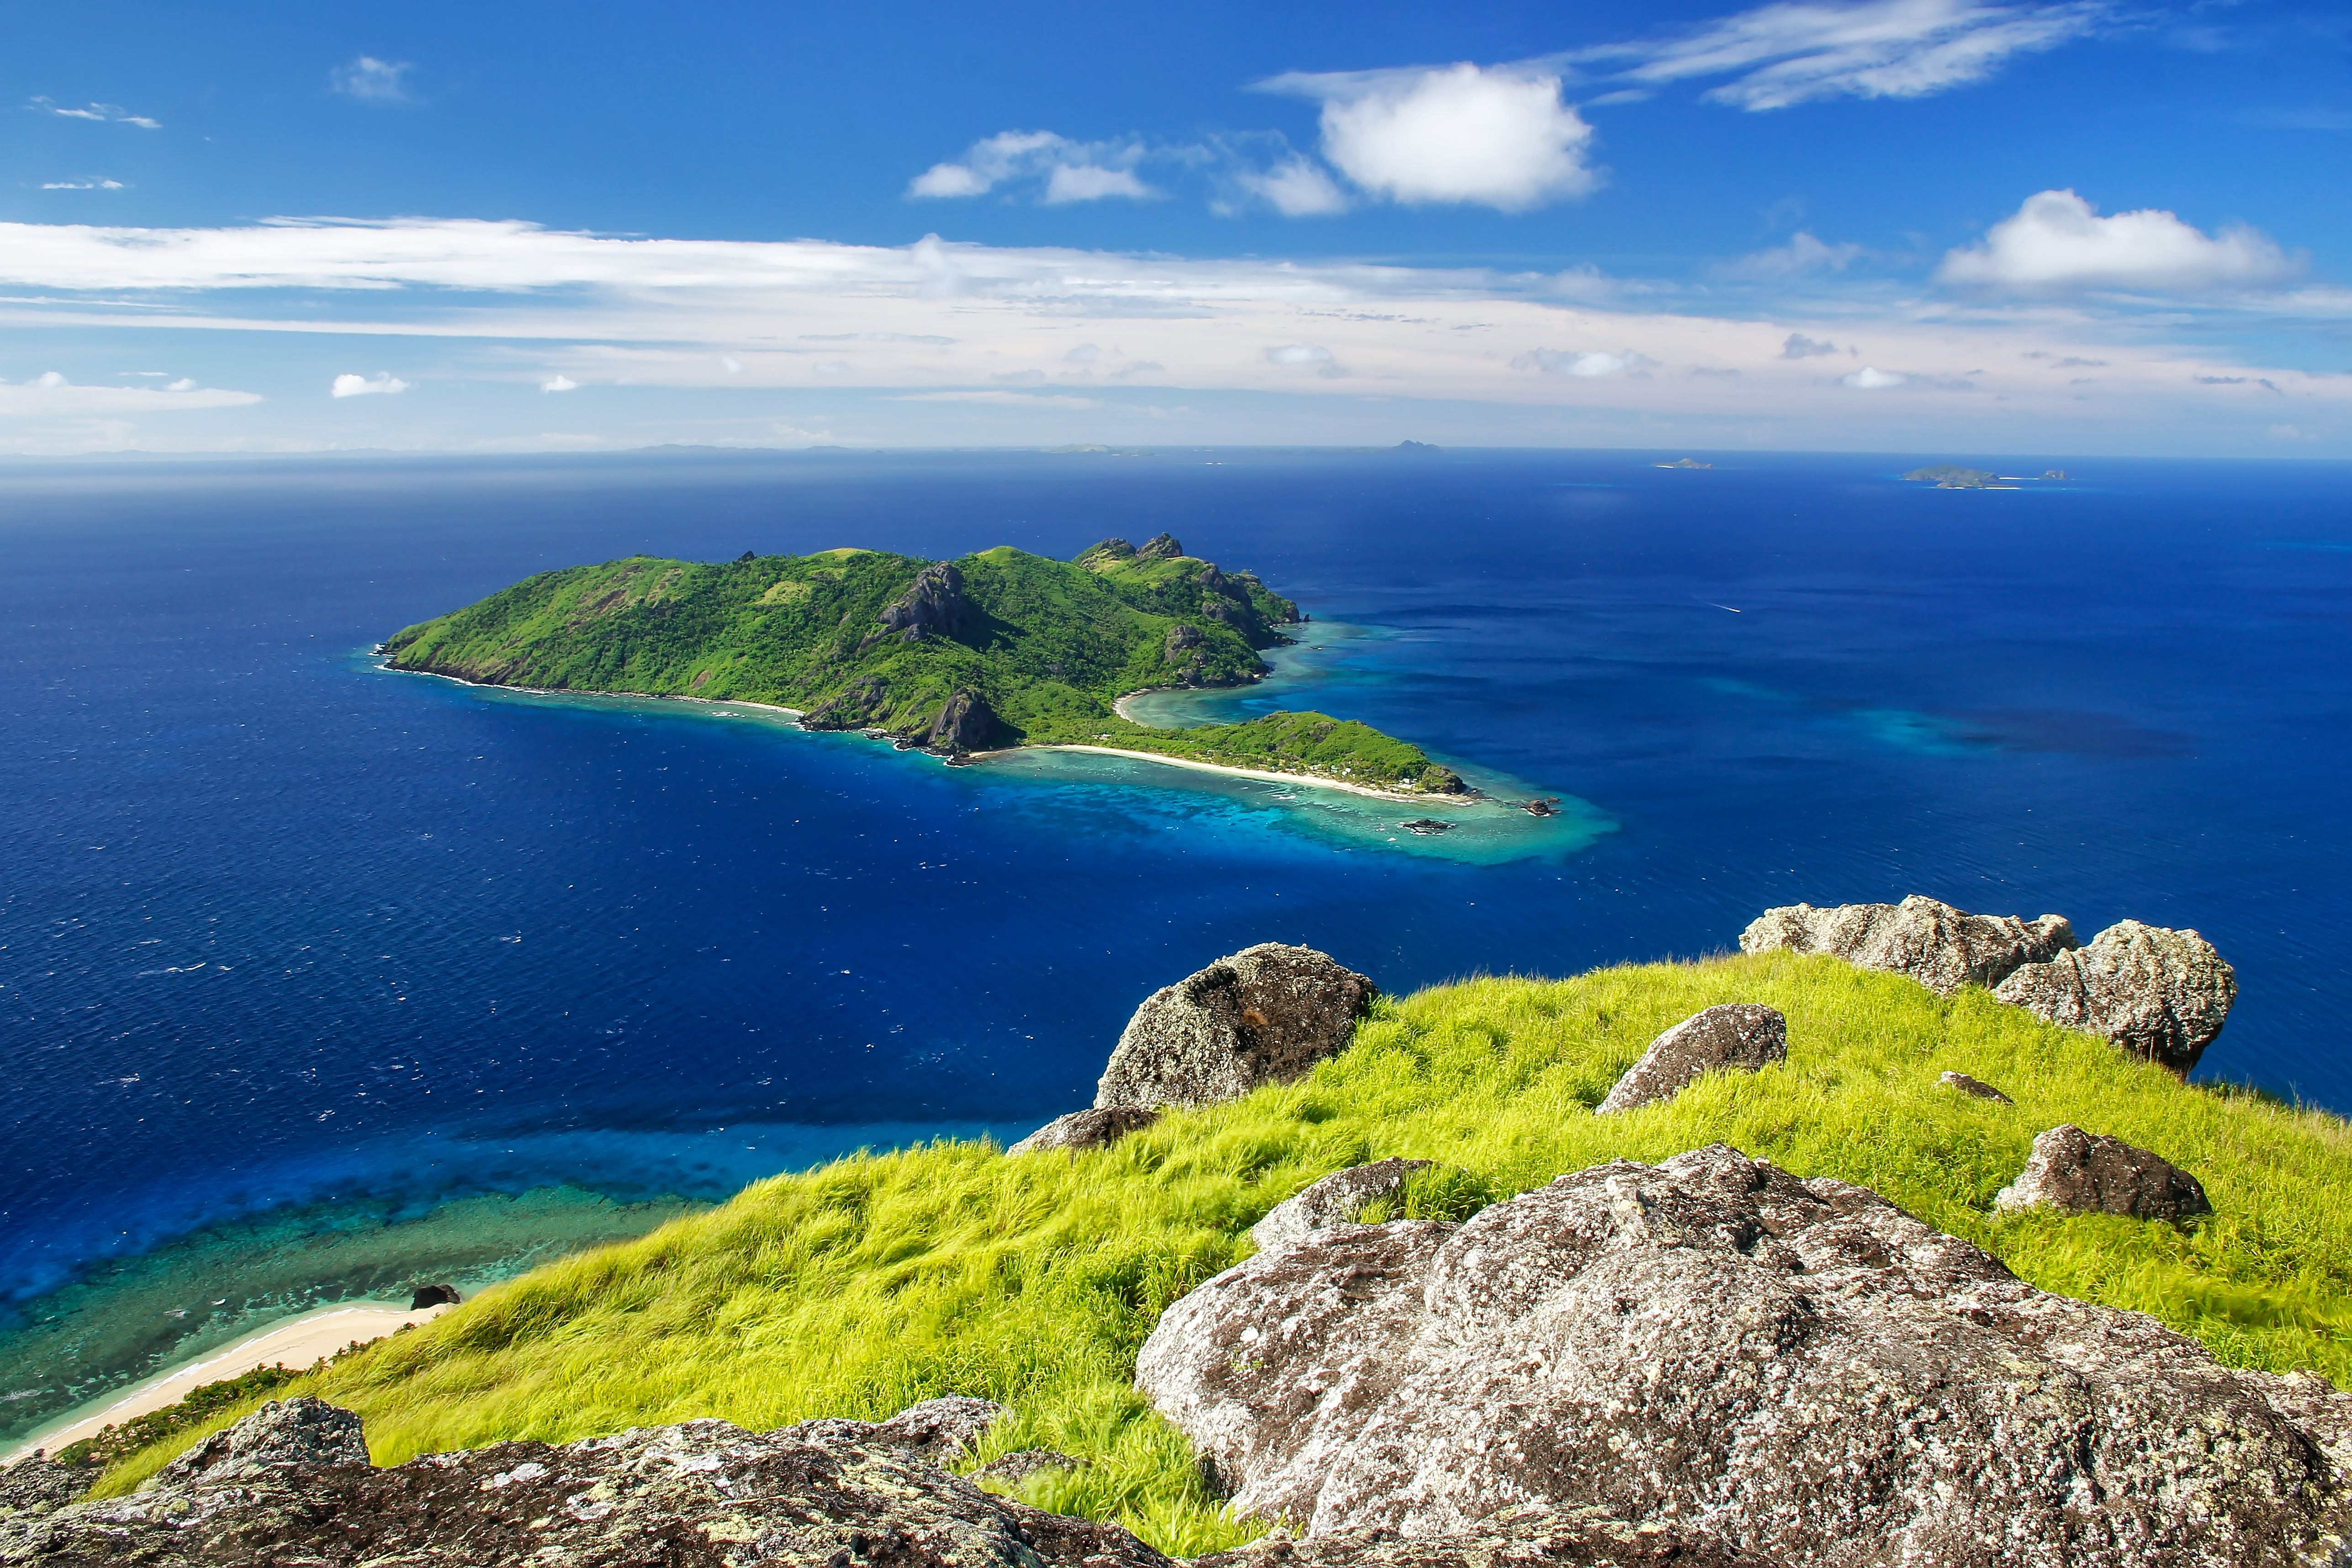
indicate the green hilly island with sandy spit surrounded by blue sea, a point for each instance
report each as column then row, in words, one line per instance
column 987, row 652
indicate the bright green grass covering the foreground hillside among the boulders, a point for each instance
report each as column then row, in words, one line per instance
column 951, row 1271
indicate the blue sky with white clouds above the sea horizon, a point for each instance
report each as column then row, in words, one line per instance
column 2076, row 227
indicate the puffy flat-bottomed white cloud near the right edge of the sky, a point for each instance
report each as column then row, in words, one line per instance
column 2057, row 243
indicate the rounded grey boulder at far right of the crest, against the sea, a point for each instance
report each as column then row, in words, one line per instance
column 2153, row 991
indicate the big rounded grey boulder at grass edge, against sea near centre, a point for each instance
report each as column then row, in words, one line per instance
column 1262, row 1017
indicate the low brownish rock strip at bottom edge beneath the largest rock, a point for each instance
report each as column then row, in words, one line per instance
column 1516, row 1539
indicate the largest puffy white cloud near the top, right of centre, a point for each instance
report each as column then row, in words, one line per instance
column 1490, row 138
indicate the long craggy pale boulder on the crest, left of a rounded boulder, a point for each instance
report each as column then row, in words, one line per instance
column 1930, row 942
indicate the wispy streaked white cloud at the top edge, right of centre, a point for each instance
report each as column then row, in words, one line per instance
column 1805, row 51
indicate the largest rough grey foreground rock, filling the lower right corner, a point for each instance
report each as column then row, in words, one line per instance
column 1791, row 1367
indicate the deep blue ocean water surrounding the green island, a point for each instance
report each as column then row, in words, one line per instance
column 283, row 930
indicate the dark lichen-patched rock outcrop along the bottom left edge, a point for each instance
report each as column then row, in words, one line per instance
column 695, row 1496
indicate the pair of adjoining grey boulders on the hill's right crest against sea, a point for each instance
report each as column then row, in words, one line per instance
column 2151, row 991
